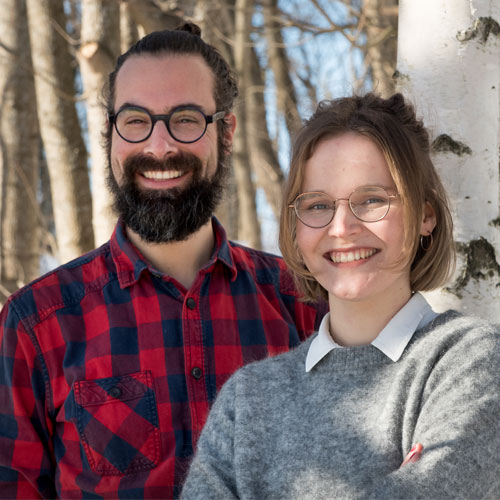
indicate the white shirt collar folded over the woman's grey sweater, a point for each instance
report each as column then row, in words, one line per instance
column 392, row 340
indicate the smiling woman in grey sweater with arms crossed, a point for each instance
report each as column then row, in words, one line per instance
column 366, row 224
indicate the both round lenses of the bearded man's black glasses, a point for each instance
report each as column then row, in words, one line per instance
column 185, row 125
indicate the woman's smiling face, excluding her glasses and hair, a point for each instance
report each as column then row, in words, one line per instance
column 351, row 258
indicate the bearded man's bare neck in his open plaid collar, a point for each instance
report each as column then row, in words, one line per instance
column 180, row 260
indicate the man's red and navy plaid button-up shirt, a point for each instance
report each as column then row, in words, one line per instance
column 108, row 368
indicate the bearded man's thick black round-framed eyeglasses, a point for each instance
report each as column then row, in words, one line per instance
column 185, row 124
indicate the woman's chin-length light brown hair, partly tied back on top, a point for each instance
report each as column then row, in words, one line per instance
column 403, row 139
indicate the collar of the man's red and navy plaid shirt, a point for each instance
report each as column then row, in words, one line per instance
column 130, row 263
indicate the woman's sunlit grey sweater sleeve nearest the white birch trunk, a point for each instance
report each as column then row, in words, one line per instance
column 458, row 425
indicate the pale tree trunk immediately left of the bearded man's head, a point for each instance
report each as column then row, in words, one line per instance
column 100, row 45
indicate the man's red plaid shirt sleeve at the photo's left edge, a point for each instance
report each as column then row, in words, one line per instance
column 26, row 469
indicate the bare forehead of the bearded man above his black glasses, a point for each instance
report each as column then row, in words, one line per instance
column 165, row 77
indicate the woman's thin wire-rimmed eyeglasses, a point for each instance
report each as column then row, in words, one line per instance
column 367, row 203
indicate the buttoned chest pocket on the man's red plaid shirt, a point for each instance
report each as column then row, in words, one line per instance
column 118, row 423
